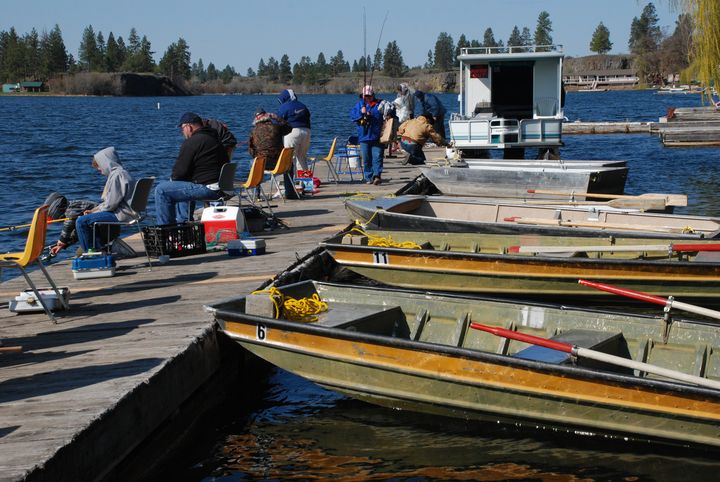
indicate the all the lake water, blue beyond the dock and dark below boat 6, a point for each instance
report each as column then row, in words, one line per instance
column 287, row 427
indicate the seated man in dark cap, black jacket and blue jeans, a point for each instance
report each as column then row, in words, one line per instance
column 195, row 173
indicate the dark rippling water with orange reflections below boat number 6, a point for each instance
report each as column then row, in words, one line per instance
column 300, row 431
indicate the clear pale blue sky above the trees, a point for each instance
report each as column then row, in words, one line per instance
column 241, row 32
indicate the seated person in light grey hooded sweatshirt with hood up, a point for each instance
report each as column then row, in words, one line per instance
column 115, row 200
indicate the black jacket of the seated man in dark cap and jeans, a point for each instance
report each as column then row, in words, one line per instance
column 201, row 157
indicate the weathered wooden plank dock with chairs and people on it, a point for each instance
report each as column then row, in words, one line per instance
column 82, row 394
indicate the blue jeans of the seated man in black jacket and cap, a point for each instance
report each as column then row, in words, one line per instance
column 172, row 199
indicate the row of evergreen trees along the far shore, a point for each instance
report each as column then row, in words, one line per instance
column 42, row 56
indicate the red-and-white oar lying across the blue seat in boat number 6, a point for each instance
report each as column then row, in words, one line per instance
column 598, row 356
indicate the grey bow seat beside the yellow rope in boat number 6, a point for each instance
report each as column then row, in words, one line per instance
column 362, row 318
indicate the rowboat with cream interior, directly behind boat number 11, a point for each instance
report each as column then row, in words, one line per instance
column 457, row 215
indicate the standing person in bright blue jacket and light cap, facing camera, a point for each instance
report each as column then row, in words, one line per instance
column 369, row 119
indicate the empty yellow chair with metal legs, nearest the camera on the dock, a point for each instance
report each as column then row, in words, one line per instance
column 31, row 254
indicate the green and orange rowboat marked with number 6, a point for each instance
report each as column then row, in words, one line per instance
column 419, row 351
